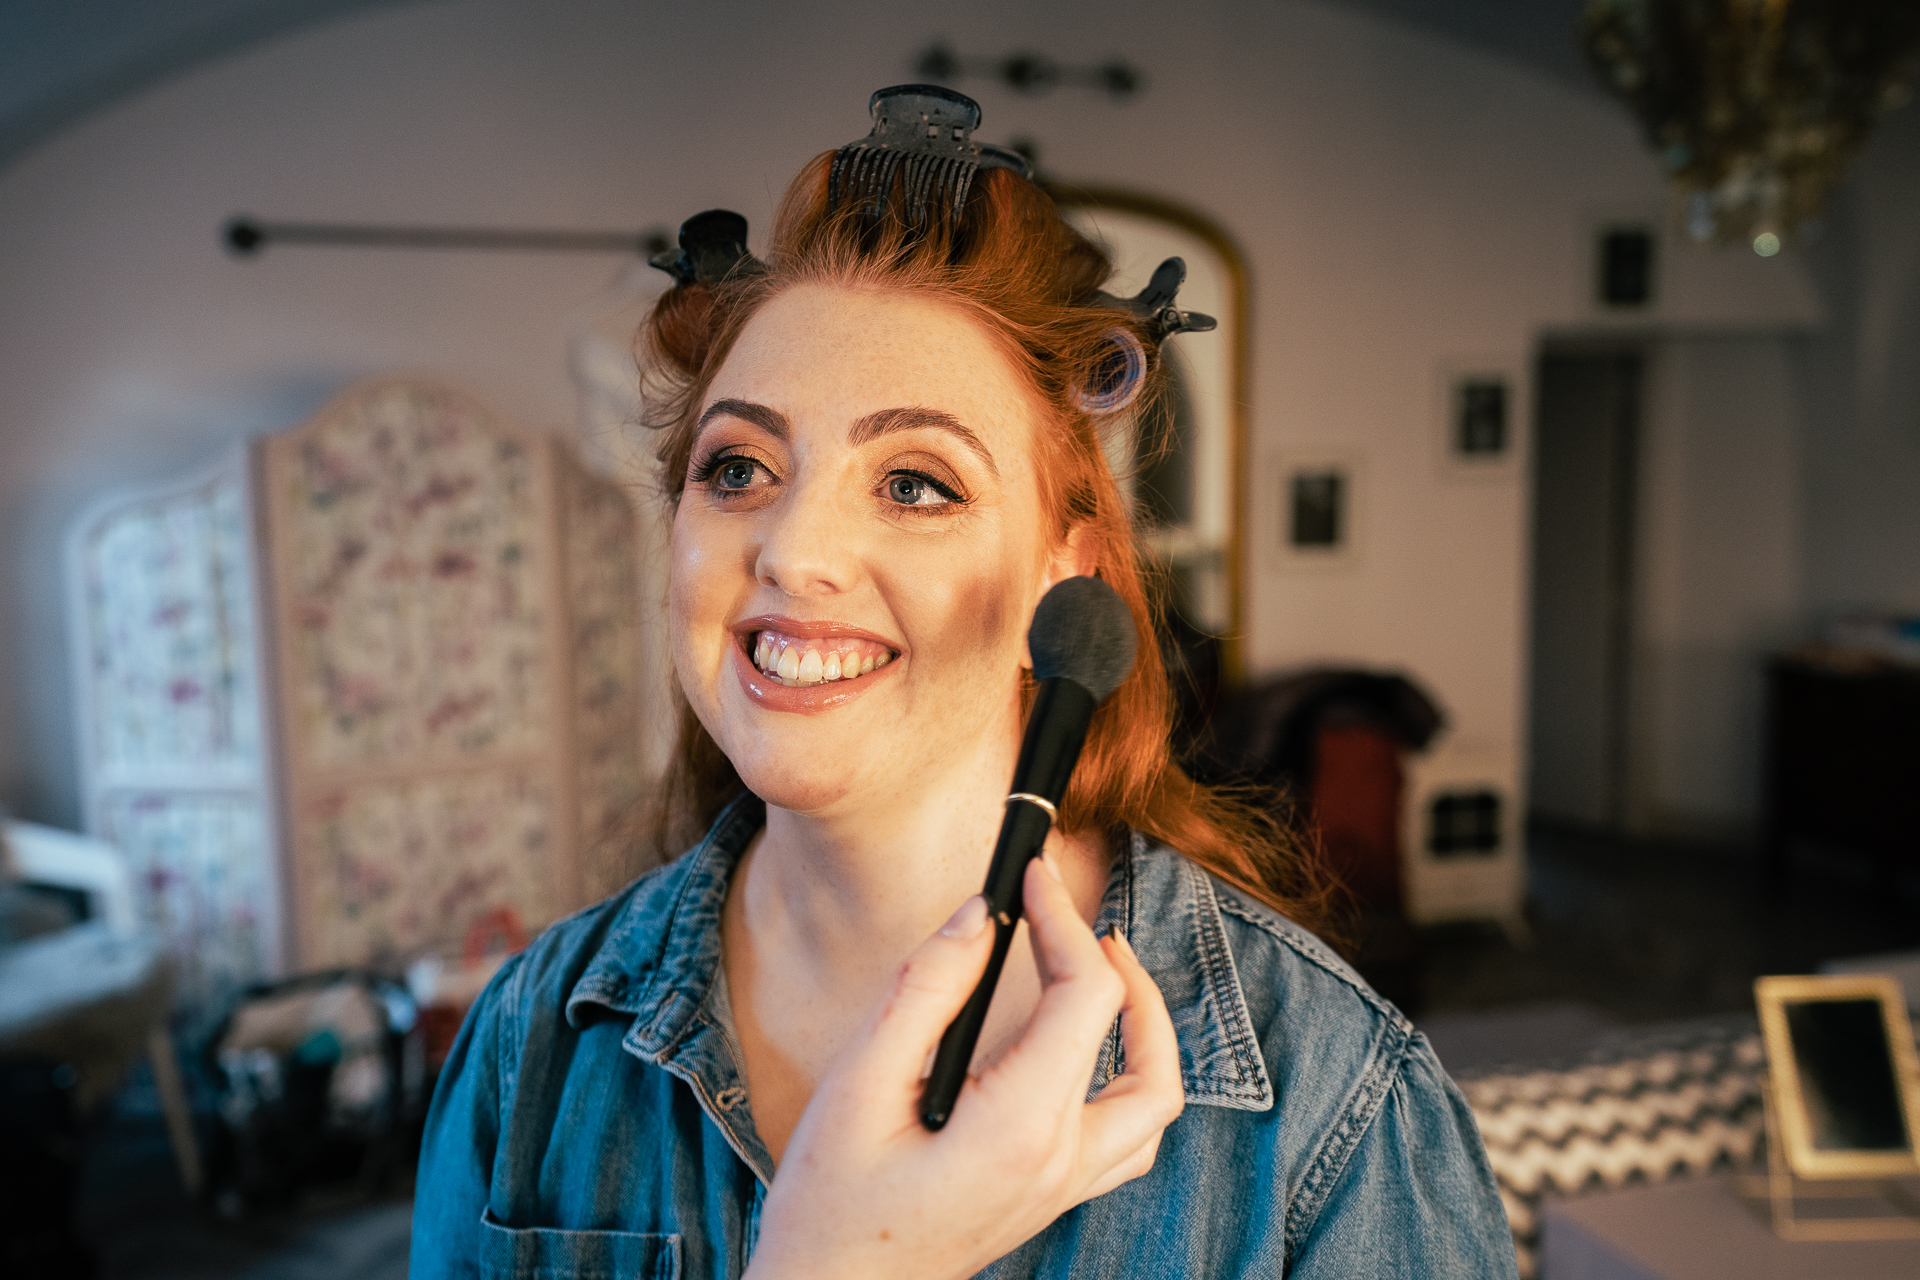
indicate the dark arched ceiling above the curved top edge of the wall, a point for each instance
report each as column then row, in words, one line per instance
column 64, row 59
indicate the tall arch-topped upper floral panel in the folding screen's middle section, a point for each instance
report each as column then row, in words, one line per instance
column 414, row 575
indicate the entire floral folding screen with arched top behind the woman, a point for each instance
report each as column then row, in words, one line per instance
column 452, row 619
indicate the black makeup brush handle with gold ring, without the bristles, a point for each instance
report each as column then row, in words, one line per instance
column 1047, row 755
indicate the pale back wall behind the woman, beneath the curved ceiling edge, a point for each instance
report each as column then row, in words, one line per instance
column 1404, row 204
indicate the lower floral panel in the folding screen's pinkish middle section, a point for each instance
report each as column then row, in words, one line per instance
column 391, row 870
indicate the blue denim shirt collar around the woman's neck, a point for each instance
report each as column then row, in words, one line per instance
column 661, row 960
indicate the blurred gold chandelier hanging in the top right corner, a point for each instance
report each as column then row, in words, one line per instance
column 1756, row 107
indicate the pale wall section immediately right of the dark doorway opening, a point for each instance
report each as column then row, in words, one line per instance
column 1721, row 577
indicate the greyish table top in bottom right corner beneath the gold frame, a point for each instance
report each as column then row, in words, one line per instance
column 1698, row 1229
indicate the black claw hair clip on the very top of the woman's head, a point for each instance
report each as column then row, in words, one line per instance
column 923, row 133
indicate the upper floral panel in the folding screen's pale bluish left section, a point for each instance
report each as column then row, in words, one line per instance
column 170, row 634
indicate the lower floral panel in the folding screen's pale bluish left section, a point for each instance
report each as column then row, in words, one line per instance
column 203, row 870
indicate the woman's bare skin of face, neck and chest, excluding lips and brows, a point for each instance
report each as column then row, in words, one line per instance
column 884, row 809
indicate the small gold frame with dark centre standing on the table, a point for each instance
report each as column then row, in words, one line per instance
column 1844, row 1076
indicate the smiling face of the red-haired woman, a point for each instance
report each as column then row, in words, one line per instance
column 859, row 548
